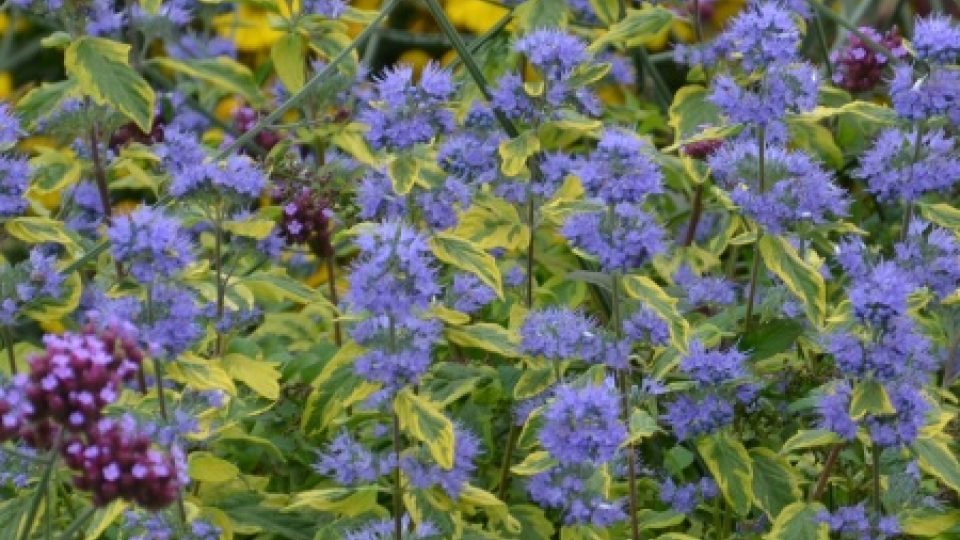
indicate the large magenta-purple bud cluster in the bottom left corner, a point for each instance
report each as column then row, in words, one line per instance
column 62, row 400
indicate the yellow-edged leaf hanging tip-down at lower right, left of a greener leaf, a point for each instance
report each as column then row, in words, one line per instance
column 729, row 463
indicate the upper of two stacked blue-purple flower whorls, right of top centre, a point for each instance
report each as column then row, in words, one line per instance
column 618, row 171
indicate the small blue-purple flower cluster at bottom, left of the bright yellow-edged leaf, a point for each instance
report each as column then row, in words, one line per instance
column 351, row 463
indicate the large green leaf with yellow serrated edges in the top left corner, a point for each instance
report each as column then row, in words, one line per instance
column 102, row 70
